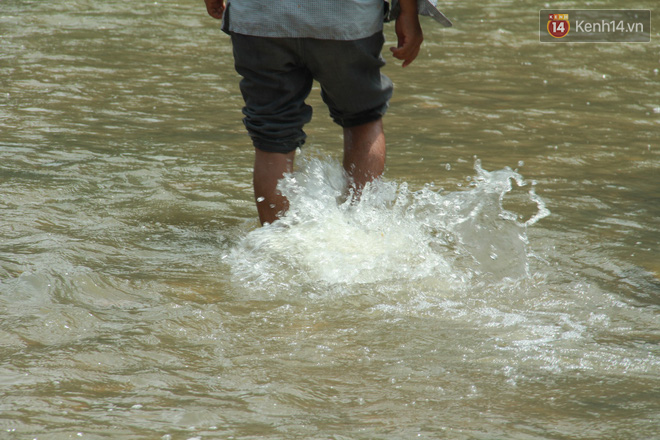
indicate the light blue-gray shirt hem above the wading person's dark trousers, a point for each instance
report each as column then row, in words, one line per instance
column 320, row 19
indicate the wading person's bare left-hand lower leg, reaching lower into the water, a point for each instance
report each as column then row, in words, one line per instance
column 268, row 169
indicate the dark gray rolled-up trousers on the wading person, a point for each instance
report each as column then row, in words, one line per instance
column 277, row 78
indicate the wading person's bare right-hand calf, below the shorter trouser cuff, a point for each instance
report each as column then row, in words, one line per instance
column 364, row 152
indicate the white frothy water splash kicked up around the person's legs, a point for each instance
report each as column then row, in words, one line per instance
column 390, row 235
